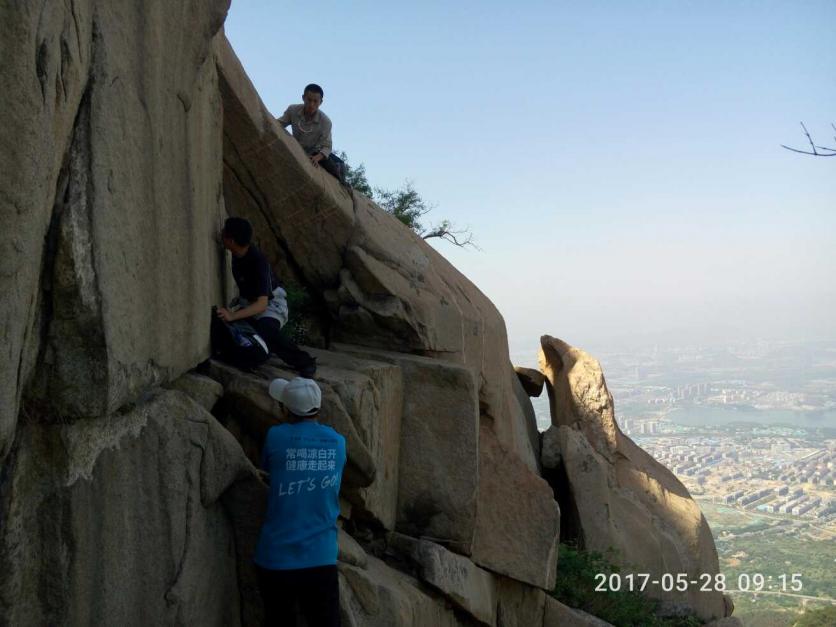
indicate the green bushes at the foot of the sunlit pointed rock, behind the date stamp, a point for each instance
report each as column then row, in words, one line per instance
column 576, row 585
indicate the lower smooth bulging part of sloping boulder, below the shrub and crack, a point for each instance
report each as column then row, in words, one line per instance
column 397, row 293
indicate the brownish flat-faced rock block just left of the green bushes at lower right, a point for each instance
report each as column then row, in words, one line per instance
column 518, row 521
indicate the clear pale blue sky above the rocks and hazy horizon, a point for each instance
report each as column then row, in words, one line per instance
column 618, row 163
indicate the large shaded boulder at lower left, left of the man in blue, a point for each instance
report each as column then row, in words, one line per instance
column 126, row 524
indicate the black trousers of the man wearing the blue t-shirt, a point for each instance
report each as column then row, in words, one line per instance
column 313, row 593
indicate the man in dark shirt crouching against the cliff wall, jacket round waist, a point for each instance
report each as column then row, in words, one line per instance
column 261, row 299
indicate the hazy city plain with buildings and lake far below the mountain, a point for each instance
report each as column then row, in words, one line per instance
column 750, row 429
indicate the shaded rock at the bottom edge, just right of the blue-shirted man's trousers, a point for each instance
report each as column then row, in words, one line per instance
column 379, row 596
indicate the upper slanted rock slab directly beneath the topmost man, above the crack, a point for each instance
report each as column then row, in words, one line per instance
column 302, row 217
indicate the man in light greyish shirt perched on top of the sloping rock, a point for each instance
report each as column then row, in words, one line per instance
column 312, row 129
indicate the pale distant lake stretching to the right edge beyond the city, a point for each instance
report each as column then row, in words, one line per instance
column 697, row 416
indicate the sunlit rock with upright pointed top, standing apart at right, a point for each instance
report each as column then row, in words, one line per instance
column 621, row 497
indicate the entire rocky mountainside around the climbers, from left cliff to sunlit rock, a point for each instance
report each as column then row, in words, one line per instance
column 128, row 488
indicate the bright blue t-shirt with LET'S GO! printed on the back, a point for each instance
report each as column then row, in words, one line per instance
column 305, row 461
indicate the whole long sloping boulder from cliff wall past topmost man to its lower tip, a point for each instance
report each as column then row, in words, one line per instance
column 382, row 285
